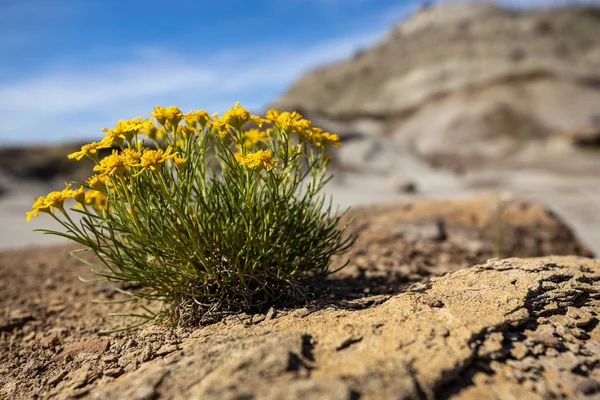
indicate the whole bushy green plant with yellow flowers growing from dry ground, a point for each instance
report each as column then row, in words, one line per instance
column 202, row 215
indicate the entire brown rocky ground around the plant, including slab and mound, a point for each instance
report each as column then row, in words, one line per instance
column 397, row 322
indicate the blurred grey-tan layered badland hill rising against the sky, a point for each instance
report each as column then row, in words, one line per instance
column 464, row 86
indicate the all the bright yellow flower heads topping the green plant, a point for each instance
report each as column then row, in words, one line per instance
column 129, row 157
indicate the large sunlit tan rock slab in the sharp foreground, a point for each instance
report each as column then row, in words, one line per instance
column 336, row 353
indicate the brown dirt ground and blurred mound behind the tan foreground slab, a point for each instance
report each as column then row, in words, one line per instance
column 49, row 326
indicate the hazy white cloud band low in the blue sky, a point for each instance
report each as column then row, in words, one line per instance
column 74, row 100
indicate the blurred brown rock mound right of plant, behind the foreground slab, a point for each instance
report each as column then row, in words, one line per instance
column 403, row 242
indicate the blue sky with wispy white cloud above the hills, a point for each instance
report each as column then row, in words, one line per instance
column 70, row 67
